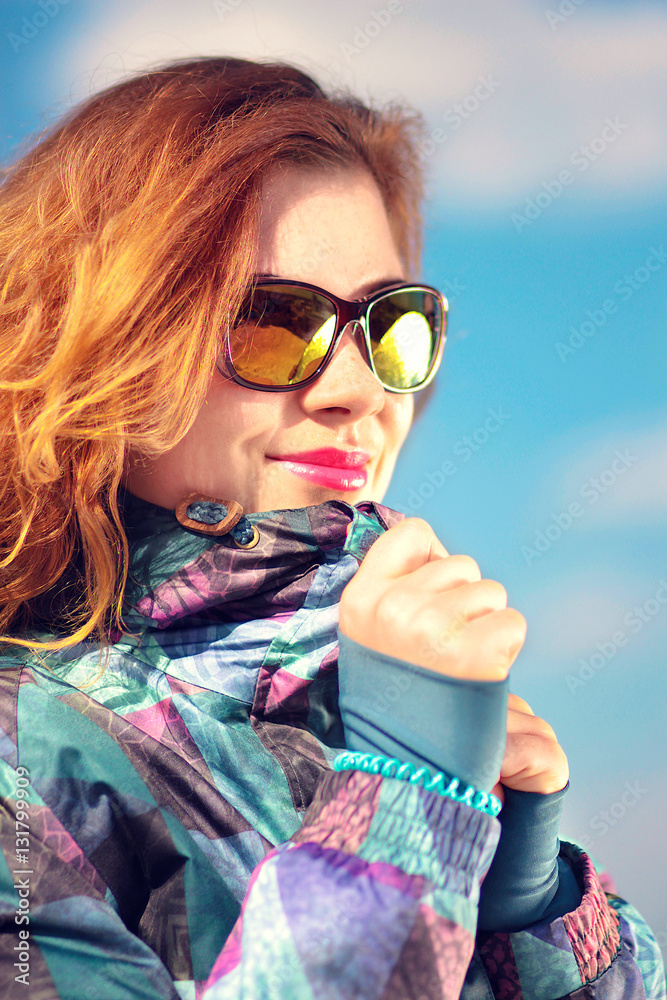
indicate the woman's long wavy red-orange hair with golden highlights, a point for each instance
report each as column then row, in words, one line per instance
column 126, row 235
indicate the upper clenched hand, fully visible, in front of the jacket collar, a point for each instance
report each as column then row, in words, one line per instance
column 410, row 599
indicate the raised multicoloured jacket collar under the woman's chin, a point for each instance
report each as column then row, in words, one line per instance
column 176, row 573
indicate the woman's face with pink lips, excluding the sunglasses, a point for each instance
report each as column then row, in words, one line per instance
column 331, row 230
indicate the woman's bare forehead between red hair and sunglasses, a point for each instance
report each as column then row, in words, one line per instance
column 328, row 228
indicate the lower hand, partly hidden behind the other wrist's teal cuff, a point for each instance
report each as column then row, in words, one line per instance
column 534, row 761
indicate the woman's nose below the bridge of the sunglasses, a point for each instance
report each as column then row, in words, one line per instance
column 347, row 388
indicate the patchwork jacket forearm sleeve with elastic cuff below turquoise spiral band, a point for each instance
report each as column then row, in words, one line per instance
column 374, row 896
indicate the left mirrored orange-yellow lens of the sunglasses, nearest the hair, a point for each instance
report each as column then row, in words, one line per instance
column 282, row 336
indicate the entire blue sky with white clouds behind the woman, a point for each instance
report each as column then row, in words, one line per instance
column 546, row 154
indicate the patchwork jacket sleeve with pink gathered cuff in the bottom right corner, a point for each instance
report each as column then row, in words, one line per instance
column 603, row 949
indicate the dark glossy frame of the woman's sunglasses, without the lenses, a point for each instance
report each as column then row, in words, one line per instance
column 347, row 311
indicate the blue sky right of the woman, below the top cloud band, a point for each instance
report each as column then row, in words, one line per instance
column 588, row 431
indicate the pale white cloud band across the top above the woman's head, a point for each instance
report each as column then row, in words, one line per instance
column 556, row 86
